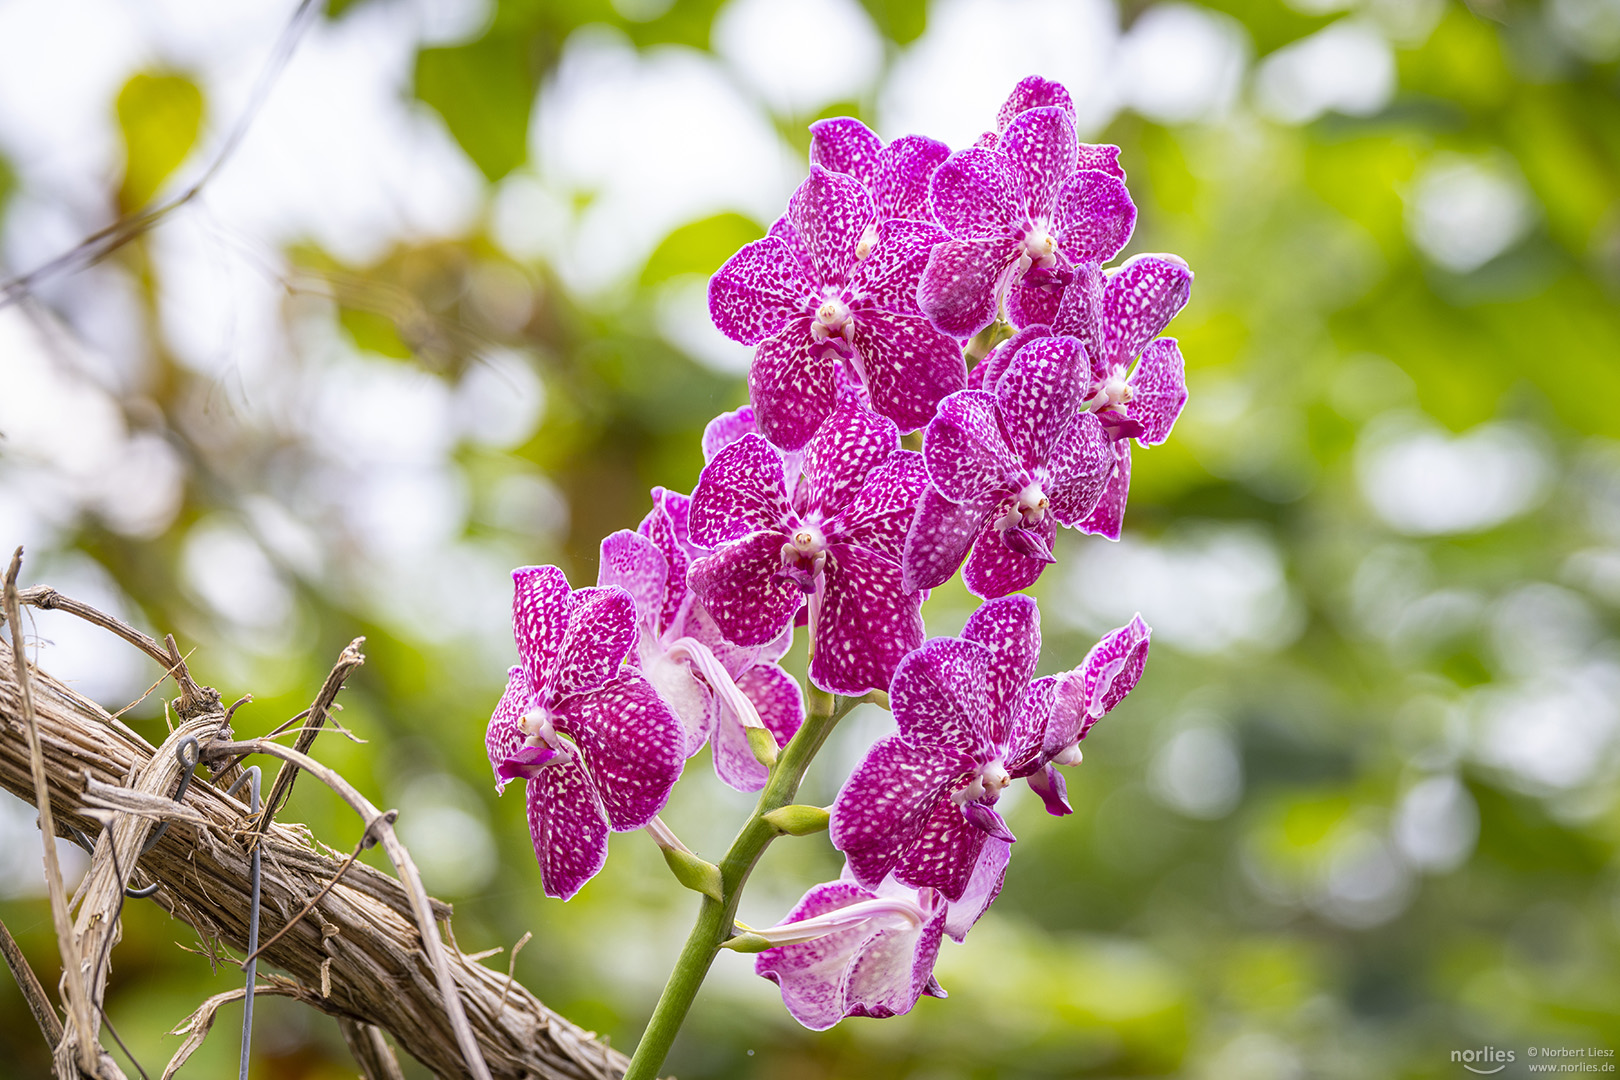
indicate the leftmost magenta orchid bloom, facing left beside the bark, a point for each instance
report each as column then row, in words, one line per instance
column 597, row 746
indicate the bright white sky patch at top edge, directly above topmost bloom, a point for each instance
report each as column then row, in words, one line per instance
column 952, row 82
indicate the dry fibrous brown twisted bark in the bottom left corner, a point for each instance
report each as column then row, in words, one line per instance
column 357, row 956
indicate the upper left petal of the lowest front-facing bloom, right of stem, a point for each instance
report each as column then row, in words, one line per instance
column 940, row 697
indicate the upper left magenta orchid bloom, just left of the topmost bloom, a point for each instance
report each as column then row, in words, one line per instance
column 833, row 286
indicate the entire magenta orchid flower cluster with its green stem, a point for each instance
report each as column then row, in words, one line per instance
column 872, row 464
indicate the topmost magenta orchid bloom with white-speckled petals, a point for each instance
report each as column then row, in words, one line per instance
column 1023, row 211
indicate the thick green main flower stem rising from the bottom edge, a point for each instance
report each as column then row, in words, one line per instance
column 715, row 917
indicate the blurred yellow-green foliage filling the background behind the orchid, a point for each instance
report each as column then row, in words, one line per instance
column 1140, row 937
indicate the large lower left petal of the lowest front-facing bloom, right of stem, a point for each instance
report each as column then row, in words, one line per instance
column 889, row 799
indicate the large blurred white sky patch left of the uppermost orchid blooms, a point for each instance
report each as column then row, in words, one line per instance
column 654, row 140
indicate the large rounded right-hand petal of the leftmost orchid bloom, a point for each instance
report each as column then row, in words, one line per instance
column 634, row 747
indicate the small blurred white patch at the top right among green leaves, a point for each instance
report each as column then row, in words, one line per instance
column 1347, row 67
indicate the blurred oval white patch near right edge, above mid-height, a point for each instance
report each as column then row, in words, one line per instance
column 1425, row 482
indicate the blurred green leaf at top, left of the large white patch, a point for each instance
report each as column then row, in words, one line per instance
column 485, row 91
